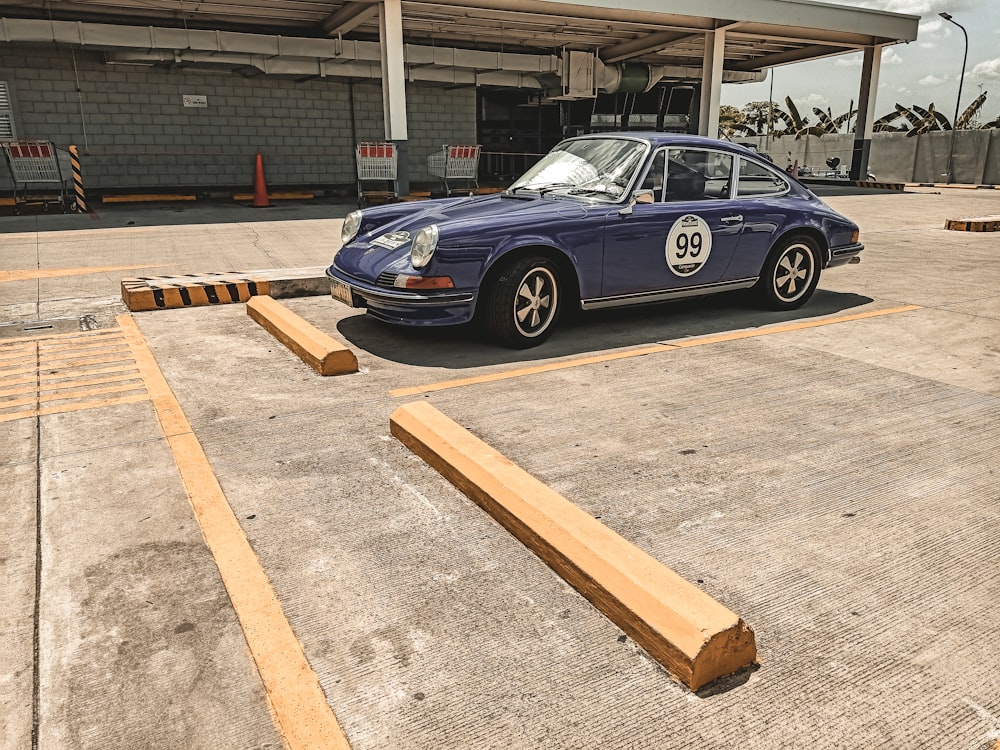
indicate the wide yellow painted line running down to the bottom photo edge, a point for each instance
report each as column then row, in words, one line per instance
column 297, row 701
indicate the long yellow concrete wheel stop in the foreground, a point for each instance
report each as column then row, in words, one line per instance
column 695, row 637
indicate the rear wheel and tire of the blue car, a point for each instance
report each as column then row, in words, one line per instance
column 790, row 274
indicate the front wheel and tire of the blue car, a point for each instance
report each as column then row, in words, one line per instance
column 523, row 303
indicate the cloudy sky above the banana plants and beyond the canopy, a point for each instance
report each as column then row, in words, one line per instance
column 924, row 71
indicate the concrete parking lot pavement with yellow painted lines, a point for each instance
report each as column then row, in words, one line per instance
column 831, row 475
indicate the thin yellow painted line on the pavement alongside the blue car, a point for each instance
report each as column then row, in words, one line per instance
column 663, row 346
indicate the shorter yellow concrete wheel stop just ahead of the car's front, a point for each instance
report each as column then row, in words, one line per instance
column 321, row 352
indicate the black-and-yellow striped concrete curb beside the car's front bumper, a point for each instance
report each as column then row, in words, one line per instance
column 143, row 293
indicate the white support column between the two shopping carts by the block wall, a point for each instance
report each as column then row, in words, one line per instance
column 390, row 17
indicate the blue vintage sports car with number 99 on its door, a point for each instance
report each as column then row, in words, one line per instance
column 601, row 221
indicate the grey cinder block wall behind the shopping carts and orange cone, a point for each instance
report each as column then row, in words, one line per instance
column 135, row 134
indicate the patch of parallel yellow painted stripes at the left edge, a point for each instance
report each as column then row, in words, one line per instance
column 56, row 374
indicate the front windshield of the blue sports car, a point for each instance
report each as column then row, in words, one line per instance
column 602, row 167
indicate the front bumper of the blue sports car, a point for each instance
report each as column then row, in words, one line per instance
column 403, row 307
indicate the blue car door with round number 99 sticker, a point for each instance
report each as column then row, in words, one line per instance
column 685, row 236
